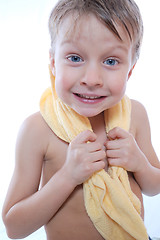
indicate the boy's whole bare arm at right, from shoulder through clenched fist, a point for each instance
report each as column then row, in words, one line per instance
column 134, row 151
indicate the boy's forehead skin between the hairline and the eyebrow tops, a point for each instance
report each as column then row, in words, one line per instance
column 77, row 27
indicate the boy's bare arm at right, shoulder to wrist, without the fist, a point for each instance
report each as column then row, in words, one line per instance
column 148, row 175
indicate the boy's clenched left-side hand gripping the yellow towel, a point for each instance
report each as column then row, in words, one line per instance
column 84, row 157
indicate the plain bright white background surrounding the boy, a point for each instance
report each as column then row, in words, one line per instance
column 24, row 45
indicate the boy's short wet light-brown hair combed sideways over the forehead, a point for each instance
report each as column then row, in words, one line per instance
column 109, row 12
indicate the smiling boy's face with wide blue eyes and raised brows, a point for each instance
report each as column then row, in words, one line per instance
column 91, row 65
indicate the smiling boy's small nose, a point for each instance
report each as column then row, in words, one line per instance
column 92, row 77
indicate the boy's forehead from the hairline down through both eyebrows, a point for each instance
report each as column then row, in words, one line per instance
column 89, row 30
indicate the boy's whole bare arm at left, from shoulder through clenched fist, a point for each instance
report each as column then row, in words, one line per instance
column 26, row 209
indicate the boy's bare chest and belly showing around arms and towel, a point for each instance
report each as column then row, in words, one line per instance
column 71, row 220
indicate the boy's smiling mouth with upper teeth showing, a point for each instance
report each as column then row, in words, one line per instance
column 89, row 98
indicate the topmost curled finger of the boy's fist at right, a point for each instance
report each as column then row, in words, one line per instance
column 117, row 133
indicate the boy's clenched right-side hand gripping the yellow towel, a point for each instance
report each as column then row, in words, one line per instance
column 122, row 150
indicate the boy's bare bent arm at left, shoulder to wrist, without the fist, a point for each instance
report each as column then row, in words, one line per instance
column 26, row 209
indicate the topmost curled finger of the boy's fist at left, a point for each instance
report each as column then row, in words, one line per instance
column 85, row 136
